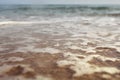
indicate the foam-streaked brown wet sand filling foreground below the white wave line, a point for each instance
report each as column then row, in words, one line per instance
column 59, row 51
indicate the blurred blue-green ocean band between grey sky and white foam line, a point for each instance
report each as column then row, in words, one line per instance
column 56, row 12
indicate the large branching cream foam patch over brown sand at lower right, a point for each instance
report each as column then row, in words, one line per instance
column 81, row 65
